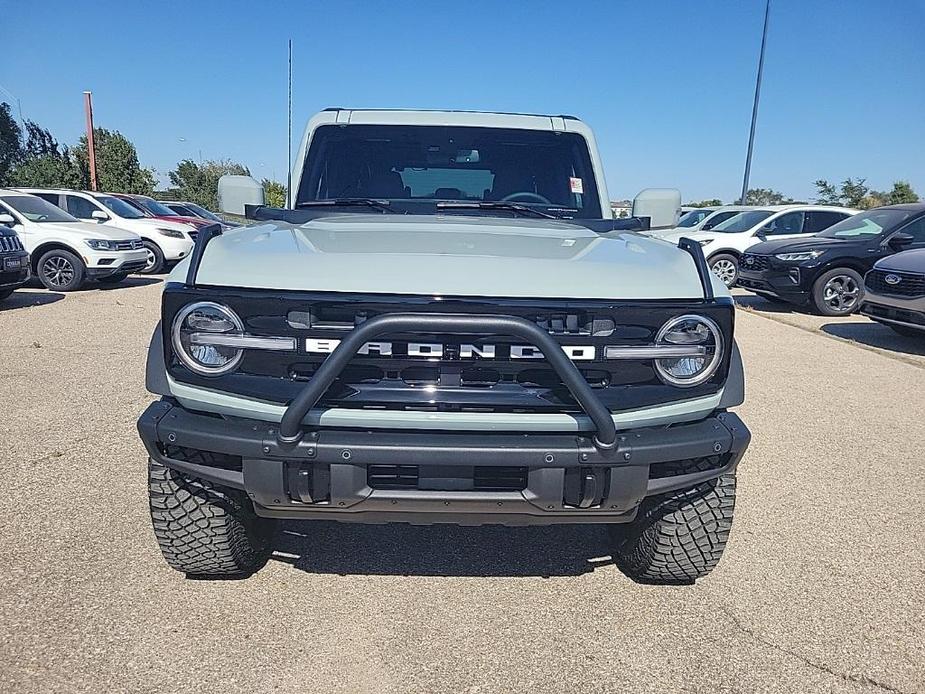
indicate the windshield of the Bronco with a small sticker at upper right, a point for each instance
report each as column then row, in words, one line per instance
column 551, row 171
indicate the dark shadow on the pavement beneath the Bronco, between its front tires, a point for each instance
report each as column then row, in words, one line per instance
column 396, row 549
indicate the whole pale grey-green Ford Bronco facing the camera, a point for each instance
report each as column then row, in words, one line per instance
column 444, row 326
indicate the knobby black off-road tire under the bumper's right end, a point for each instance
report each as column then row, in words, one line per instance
column 677, row 537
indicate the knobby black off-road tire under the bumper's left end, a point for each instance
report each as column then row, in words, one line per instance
column 205, row 530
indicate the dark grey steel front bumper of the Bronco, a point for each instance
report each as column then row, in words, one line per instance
column 333, row 473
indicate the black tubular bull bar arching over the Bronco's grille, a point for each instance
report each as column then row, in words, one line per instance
column 290, row 428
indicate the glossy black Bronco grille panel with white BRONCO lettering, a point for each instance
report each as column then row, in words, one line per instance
column 462, row 376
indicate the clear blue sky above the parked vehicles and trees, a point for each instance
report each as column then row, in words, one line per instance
column 666, row 85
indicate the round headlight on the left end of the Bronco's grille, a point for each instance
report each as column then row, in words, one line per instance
column 195, row 338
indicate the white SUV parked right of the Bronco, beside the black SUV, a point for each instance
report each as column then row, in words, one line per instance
column 725, row 243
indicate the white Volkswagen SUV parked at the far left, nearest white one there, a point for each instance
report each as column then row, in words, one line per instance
column 65, row 251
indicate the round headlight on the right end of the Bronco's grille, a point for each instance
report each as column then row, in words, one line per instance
column 705, row 340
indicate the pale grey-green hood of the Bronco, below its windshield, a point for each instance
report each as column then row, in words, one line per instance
column 448, row 255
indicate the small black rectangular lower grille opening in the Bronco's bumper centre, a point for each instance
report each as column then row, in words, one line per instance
column 476, row 478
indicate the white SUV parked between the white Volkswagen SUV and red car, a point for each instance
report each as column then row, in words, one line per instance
column 165, row 242
